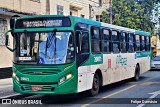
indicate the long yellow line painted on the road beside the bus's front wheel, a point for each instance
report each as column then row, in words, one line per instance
column 109, row 96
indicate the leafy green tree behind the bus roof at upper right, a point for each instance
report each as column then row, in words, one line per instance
column 132, row 14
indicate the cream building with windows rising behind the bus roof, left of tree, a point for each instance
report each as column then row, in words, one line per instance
column 91, row 9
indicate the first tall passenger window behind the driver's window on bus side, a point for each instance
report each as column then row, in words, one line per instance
column 96, row 40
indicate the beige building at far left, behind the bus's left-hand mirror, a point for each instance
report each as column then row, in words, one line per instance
column 8, row 8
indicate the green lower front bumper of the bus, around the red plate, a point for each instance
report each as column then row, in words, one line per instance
column 67, row 87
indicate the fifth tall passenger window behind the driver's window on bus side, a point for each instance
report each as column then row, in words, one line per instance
column 130, row 42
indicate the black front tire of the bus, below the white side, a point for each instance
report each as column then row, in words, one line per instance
column 95, row 85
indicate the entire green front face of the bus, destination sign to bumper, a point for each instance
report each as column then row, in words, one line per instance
column 44, row 56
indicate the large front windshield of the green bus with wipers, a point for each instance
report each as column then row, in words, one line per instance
column 44, row 48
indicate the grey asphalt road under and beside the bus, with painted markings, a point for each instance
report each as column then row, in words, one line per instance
column 122, row 94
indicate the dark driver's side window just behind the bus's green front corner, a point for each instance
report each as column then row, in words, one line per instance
column 85, row 43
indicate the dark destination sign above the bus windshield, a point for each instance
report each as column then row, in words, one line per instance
column 43, row 22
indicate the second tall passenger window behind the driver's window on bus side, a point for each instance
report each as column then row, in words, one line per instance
column 106, row 41
